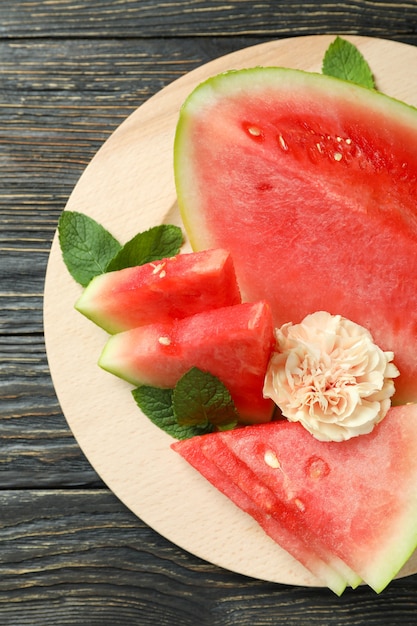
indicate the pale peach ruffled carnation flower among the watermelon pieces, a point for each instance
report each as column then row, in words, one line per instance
column 328, row 374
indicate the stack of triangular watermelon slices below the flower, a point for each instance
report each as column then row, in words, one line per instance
column 356, row 499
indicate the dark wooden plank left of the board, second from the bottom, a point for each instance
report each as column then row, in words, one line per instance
column 37, row 447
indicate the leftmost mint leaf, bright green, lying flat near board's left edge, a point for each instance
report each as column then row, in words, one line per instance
column 86, row 246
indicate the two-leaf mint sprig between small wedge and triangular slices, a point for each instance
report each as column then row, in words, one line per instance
column 198, row 404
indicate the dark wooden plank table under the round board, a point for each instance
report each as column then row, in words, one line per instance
column 71, row 553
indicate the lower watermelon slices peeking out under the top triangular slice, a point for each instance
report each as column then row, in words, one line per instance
column 205, row 460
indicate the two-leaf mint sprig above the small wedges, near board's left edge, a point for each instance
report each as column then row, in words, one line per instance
column 88, row 249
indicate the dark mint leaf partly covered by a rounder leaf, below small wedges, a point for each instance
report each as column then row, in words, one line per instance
column 156, row 404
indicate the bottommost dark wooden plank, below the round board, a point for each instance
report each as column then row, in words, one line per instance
column 80, row 557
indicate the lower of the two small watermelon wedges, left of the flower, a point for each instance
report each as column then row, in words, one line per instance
column 233, row 343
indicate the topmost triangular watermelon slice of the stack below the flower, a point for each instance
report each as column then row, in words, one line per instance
column 359, row 496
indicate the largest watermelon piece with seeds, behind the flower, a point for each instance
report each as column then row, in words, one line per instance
column 311, row 183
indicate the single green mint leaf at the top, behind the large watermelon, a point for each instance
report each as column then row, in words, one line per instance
column 343, row 60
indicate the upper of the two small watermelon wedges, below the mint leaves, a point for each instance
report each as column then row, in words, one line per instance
column 156, row 292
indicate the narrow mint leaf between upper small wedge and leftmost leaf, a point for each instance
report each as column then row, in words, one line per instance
column 156, row 243
